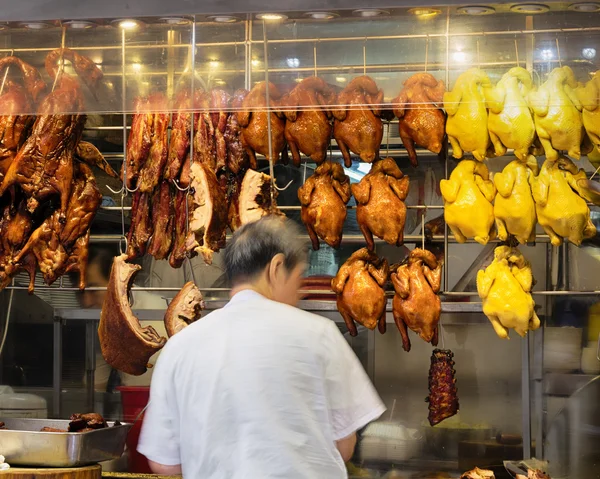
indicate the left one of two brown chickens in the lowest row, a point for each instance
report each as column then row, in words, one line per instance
column 359, row 288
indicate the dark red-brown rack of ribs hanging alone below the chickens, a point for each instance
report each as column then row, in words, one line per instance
column 443, row 396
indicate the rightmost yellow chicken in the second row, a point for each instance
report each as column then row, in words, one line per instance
column 561, row 211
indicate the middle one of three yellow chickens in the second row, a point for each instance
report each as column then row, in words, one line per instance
column 514, row 207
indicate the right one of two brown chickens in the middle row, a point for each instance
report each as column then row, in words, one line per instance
column 380, row 208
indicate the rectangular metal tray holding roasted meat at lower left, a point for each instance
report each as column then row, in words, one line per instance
column 22, row 443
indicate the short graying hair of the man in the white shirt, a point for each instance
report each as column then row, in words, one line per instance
column 254, row 245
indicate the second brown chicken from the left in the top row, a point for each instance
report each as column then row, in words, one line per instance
column 308, row 130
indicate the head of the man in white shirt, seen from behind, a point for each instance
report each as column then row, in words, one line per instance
column 267, row 256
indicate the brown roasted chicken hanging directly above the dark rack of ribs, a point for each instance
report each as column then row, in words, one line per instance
column 416, row 303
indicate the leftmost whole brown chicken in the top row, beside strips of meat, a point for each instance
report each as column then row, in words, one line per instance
column 254, row 123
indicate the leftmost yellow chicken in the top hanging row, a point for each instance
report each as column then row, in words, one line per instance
column 466, row 125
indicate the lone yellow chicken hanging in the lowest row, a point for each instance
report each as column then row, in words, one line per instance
column 505, row 290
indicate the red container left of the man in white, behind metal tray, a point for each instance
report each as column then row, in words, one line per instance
column 133, row 400
